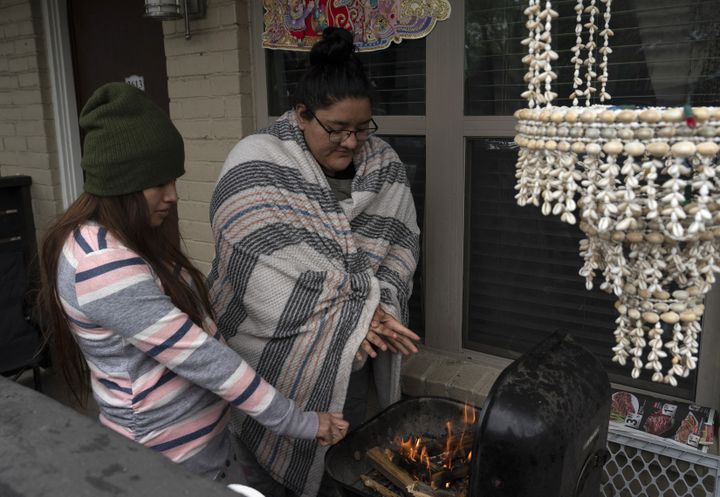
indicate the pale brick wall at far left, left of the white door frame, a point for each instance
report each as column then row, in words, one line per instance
column 27, row 135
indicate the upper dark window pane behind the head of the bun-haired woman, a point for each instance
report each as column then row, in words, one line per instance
column 397, row 74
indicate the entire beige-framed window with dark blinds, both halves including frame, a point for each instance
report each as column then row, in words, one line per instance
column 497, row 278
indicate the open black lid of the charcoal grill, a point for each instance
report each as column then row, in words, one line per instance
column 543, row 427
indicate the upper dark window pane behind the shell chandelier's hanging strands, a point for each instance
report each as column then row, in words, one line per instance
column 665, row 52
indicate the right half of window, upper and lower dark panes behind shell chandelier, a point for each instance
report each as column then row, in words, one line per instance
column 523, row 266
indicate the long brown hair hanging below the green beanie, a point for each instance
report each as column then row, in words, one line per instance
column 127, row 218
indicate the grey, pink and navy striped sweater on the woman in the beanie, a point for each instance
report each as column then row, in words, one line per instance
column 157, row 377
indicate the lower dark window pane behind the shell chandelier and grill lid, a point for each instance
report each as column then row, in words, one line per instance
column 522, row 273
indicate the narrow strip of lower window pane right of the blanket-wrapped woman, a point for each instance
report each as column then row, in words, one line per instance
column 411, row 150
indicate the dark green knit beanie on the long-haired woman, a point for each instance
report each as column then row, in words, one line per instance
column 130, row 143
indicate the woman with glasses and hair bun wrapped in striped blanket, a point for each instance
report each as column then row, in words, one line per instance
column 316, row 245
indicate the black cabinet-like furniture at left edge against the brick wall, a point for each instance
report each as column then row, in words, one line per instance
column 19, row 337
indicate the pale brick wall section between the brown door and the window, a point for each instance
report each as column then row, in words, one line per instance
column 210, row 88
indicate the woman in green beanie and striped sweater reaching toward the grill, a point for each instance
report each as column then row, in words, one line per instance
column 131, row 316
